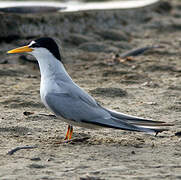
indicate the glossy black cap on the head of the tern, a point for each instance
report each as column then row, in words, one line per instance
column 49, row 44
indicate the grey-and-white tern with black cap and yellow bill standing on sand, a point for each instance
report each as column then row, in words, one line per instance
column 70, row 103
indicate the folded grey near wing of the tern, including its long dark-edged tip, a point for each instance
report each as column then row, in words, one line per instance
column 82, row 109
